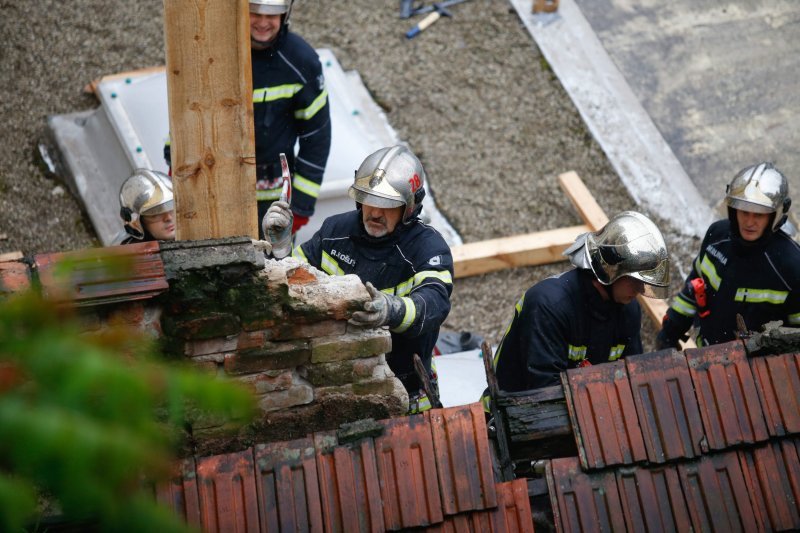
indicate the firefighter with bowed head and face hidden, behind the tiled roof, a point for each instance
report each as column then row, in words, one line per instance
column 587, row 315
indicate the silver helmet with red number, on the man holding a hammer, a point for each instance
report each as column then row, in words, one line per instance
column 391, row 177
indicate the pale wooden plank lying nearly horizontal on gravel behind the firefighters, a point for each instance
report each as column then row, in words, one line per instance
column 538, row 248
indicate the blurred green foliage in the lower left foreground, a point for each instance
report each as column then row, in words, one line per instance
column 88, row 421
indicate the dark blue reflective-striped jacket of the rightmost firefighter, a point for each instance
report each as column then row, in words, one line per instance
column 760, row 281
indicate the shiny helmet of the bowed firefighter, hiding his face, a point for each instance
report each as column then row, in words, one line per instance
column 628, row 245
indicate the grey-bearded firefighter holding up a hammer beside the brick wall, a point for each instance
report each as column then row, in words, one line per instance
column 406, row 265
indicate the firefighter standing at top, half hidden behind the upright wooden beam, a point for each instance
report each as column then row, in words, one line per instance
column 290, row 105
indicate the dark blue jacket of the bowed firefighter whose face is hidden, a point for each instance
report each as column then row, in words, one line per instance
column 558, row 323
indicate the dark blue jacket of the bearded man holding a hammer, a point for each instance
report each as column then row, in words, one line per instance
column 413, row 262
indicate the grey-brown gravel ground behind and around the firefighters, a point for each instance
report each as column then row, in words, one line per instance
column 471, row 95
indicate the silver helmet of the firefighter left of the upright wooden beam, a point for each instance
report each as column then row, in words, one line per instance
column 146, row 192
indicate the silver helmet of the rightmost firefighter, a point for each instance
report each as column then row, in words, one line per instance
column 760, row 188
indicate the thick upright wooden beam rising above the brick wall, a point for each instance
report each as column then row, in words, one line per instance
column 209, row 81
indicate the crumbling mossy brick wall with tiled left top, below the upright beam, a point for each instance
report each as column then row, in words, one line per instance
column 280, row 327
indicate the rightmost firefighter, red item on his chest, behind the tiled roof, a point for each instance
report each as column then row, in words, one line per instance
column 747, row 265
